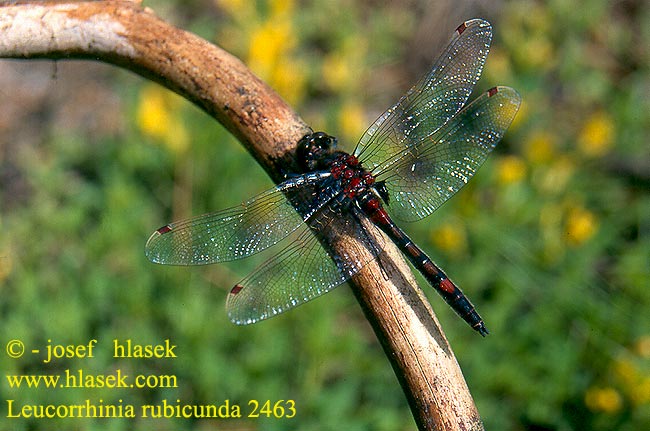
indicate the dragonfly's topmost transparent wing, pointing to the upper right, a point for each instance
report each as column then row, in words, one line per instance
column 433, row 100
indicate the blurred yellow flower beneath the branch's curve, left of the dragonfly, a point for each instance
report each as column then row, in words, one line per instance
column 157, row 116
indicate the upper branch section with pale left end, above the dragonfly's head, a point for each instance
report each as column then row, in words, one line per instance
column 124, row 34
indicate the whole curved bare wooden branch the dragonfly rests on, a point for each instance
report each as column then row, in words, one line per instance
column 124, row 34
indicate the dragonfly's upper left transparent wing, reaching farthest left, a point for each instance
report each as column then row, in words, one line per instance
column 243, row 230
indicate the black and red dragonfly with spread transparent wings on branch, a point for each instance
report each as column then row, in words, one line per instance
column 412, row 159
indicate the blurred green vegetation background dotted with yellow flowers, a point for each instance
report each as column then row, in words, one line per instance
column 551, row 239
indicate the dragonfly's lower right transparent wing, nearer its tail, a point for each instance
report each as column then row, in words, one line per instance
column 427, row 174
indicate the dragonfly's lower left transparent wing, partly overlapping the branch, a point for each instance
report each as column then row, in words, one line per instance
column 304, row 270
